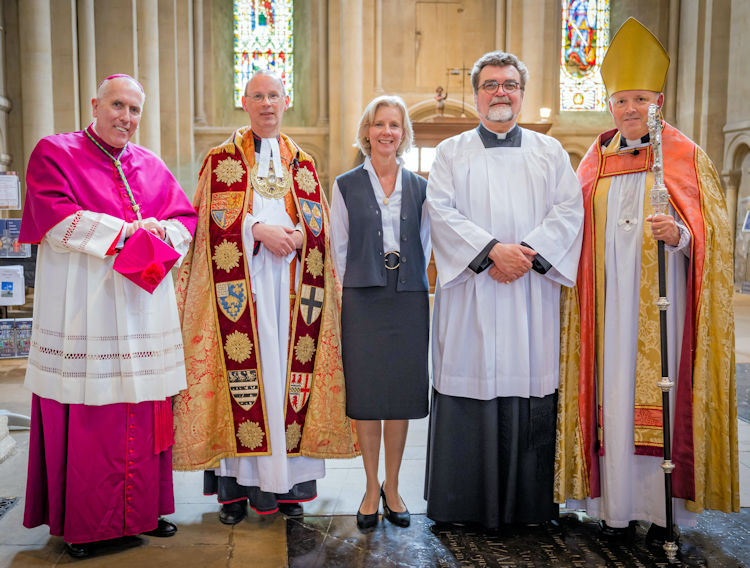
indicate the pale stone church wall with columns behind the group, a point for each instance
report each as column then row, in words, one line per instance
column 347, row 52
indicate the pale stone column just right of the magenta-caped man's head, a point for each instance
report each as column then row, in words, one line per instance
column 147, row 24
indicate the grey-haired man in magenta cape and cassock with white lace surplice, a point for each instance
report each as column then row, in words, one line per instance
column 106, row 354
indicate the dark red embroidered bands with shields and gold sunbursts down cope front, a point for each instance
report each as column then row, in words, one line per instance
column 230, row 198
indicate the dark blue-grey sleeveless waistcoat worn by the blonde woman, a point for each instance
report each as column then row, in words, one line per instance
column 365, row 265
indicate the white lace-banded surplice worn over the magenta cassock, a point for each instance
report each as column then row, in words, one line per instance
column 98, row 338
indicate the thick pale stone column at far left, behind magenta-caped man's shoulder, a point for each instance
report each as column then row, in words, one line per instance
column 35, row 29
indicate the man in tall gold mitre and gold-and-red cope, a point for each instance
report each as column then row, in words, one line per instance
column 610, row 440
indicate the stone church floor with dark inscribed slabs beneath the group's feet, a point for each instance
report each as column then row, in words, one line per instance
column 327, row 536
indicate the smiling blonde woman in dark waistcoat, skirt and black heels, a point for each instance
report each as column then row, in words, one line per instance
column 381, row 245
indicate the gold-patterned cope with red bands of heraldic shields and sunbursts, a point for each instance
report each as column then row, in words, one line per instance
column 222, row 412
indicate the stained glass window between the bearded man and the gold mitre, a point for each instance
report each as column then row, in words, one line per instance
column 585, row 38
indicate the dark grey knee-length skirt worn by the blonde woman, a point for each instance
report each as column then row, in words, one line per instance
column 384, row 336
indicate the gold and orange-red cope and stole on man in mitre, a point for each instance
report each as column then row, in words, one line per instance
column 705, row 419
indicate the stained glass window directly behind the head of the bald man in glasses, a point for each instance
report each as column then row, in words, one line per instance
column 263, row 40
